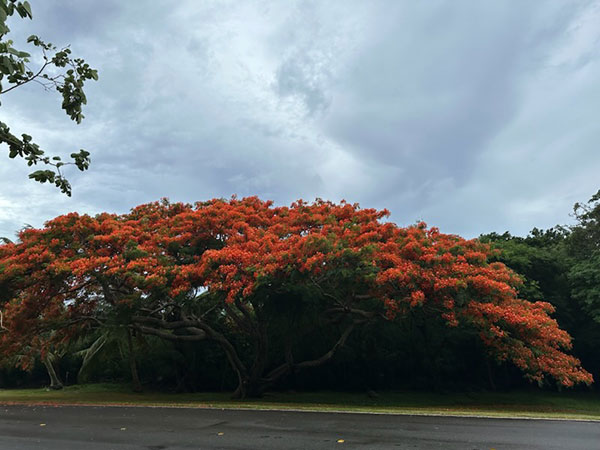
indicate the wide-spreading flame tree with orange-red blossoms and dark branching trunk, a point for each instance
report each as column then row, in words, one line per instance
column 276, row 275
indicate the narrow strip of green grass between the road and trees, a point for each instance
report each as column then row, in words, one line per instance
column 574, row 405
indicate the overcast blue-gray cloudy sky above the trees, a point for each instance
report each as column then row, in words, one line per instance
column 474, row 116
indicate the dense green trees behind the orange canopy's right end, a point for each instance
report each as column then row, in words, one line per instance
column 562, row 266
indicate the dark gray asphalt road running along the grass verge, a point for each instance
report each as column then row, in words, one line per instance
column 120, row 428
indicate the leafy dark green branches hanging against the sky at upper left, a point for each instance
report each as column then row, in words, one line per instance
column 57, row 69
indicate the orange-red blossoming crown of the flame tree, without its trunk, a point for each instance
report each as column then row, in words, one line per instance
column 242, row 248
